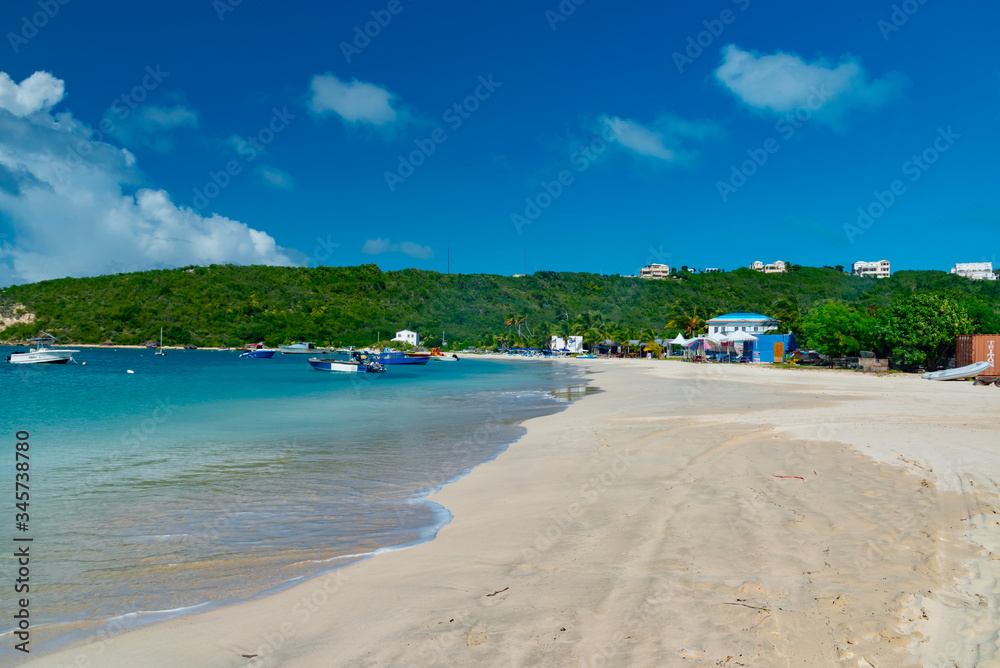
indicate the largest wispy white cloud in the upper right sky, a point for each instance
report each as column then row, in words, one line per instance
column 782, row 82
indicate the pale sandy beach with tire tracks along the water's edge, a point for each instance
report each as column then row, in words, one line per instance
column 703, row 515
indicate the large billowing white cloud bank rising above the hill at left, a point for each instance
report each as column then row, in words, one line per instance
column 74, row 206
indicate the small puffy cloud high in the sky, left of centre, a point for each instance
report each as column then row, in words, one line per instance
column 355, row 101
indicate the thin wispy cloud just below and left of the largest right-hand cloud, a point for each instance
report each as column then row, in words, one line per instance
column 667, row 139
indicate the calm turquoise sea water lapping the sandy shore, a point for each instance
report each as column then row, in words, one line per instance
column 203, row 479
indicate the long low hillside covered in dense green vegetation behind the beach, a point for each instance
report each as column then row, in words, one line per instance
column 232, row 305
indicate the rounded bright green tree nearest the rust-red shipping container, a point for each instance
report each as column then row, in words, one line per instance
column 921, row 329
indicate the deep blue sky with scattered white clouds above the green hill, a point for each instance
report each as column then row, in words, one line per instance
column 578, row 135
